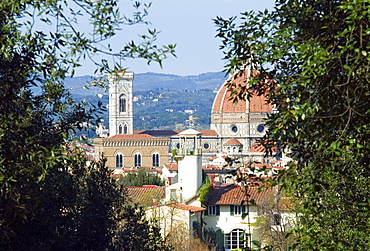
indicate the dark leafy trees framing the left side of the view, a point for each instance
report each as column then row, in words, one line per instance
column 50, row 198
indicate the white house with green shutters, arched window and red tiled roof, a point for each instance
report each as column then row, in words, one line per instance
column 233, row 211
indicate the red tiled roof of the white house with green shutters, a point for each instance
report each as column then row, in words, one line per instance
column 235, row 195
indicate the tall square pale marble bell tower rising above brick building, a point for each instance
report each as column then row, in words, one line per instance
column 120, row 103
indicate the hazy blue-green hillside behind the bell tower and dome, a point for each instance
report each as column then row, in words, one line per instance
column 162, row 101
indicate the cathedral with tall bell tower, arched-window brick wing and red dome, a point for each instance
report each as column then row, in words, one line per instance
column 233, row 132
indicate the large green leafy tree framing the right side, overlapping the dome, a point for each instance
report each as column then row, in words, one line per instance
column 317, row 54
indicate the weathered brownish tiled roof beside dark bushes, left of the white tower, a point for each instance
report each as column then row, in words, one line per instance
column 145, row 195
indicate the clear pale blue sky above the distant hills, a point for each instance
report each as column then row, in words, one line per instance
column 189, row 25
